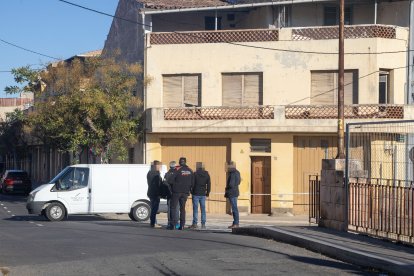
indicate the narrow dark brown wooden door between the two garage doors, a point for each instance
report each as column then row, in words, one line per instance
column 261, row 185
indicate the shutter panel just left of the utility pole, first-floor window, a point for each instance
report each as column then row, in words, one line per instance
column 323, row 88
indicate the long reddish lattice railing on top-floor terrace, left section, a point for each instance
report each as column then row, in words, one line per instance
column 214, row 36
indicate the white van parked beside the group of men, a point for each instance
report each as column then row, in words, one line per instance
column 95, row 189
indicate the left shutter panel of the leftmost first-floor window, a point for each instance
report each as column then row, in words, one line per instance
column 173, row 92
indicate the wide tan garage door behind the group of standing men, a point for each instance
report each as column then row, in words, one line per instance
column 213, row 153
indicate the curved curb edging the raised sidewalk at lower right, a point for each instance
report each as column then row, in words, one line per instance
column 356, row 257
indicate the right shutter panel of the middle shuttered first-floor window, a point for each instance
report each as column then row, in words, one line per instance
column 253, row 94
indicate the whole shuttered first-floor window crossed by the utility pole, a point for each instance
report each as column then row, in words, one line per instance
column 324, row 87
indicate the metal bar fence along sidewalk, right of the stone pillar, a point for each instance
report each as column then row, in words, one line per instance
column 382, row 207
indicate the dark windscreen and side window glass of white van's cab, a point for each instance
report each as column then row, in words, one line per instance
column 72, row 179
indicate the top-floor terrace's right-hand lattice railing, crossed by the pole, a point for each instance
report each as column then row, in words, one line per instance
column 350, row 32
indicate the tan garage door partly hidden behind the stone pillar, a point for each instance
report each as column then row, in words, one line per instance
column 308, row 154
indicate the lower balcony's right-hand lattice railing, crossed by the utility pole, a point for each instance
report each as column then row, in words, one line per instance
column 369, row 111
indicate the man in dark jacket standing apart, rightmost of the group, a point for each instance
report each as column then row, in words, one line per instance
column 232, row 191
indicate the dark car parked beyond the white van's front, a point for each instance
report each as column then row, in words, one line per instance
column 17, row 181
